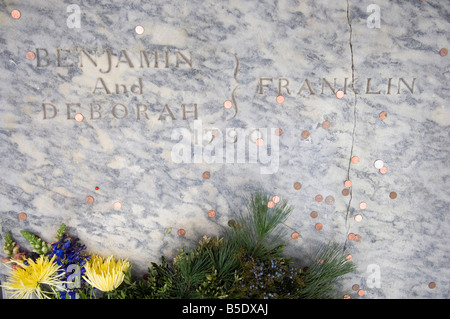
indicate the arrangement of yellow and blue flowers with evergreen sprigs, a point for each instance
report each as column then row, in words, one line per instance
column 246, row 263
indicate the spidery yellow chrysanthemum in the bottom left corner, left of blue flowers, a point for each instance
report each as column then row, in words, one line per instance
column 27, row 281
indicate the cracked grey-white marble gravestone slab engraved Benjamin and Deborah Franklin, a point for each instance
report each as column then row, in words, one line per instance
column 131, row 121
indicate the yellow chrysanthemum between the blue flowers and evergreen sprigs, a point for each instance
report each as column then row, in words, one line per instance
column 105, row 275
